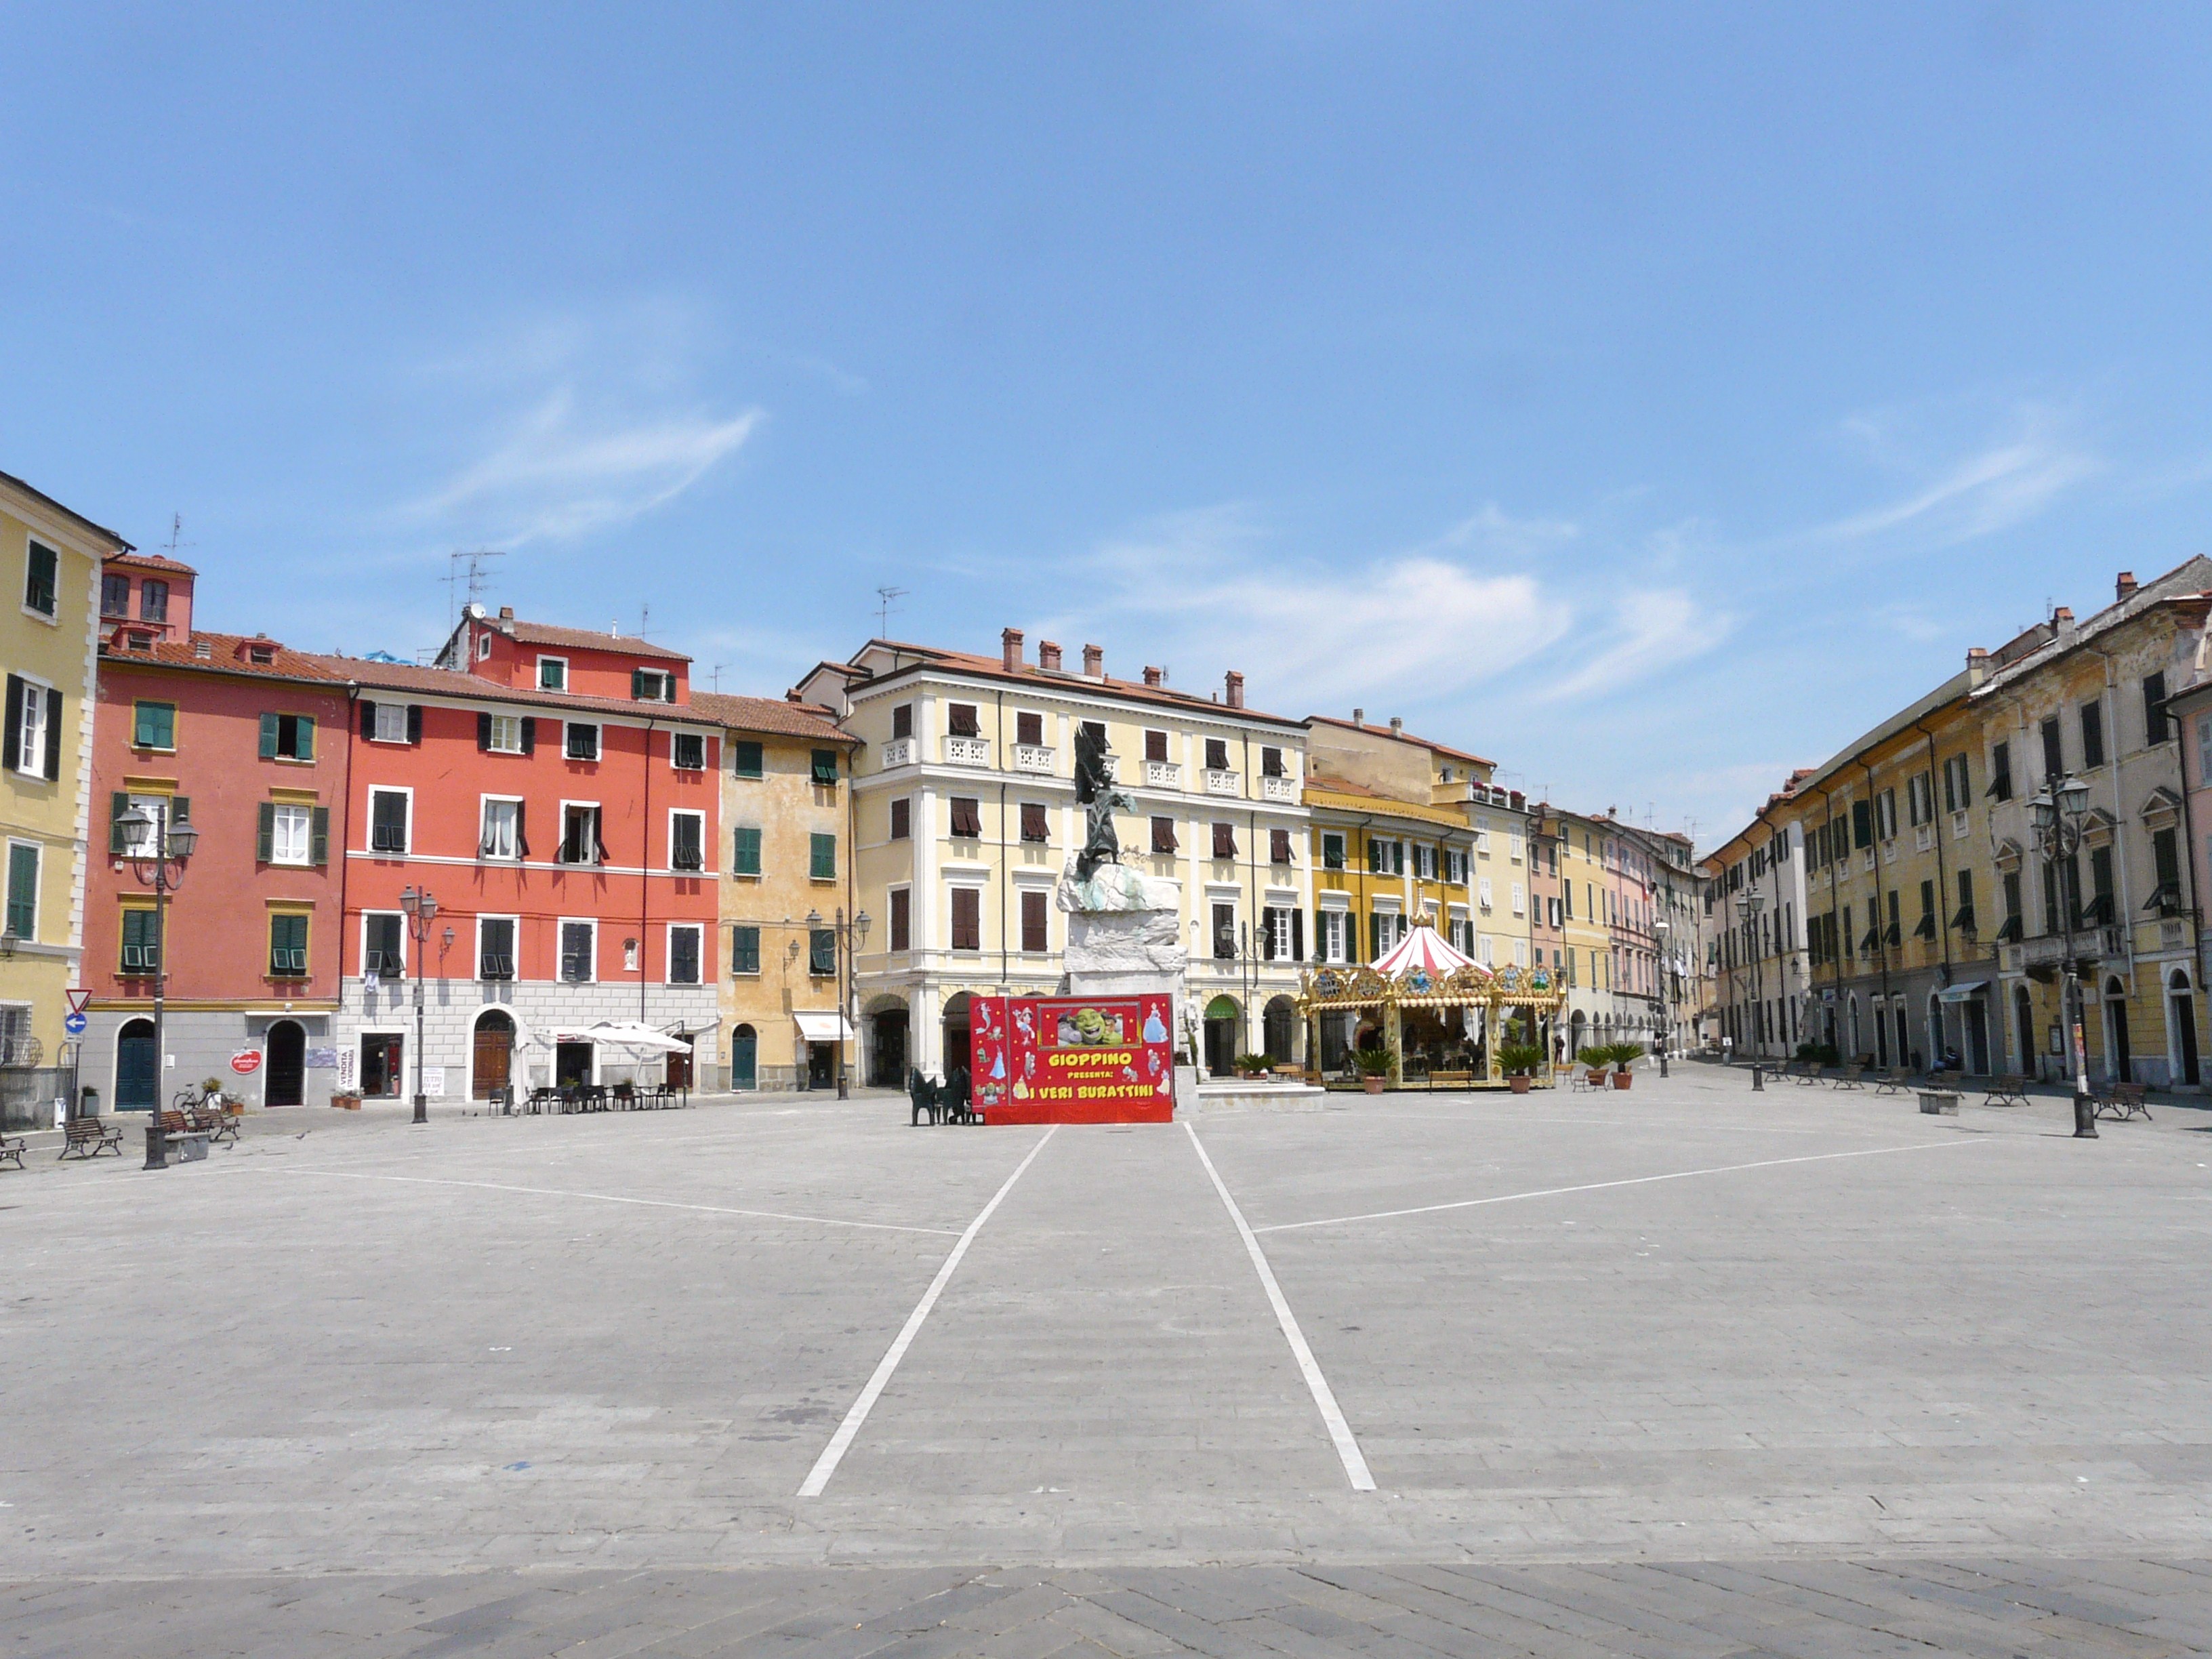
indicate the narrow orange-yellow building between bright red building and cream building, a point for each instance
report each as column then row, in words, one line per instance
column 786, row 884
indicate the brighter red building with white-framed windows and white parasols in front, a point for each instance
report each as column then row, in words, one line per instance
column 552, row 791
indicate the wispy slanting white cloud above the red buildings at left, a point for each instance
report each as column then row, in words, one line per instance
column 561, row 477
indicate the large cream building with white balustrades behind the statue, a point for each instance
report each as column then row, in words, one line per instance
column 966, row 815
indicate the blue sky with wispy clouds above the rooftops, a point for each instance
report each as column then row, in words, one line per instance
column 1645, row 397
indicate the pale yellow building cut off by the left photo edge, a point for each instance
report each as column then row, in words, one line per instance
column 45, row 784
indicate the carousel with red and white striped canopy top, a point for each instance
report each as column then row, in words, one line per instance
column 1434, row 1010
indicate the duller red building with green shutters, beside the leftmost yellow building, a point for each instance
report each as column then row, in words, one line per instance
column 249, row 744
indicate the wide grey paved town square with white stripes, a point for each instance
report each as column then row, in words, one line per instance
column 368, row 1388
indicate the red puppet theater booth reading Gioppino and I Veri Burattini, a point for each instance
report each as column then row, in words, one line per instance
column 1072, row 1061
